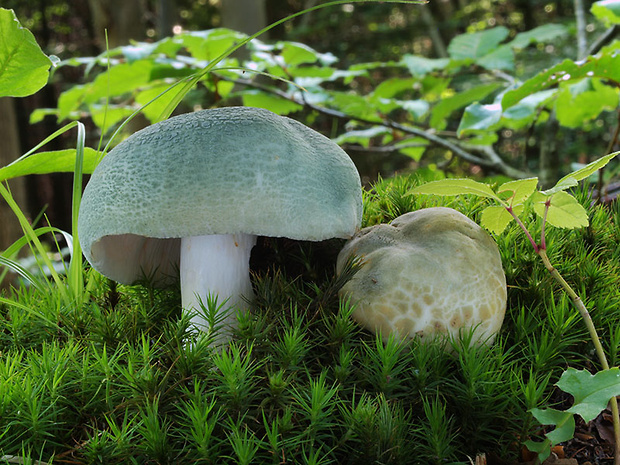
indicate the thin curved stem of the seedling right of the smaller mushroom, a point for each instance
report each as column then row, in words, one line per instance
column 578, row 303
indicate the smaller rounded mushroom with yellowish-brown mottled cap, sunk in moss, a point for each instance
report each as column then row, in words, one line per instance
column 427, row 273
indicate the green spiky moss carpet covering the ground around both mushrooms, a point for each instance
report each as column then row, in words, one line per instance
column 122, row 379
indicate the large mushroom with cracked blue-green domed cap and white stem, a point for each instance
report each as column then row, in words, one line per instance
column 190, row 195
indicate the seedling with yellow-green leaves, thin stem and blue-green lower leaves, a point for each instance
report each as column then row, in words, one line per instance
column 558, row 208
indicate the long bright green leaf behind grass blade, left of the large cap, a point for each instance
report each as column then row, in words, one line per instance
column 49, row 162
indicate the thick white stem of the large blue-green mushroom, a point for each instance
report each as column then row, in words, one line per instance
column 216, row 265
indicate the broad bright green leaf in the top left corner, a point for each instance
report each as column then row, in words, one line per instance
column 24, row 68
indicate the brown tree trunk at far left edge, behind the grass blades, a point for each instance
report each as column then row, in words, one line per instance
column 10, row 230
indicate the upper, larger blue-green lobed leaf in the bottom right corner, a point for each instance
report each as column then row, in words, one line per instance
column 591, row 393
